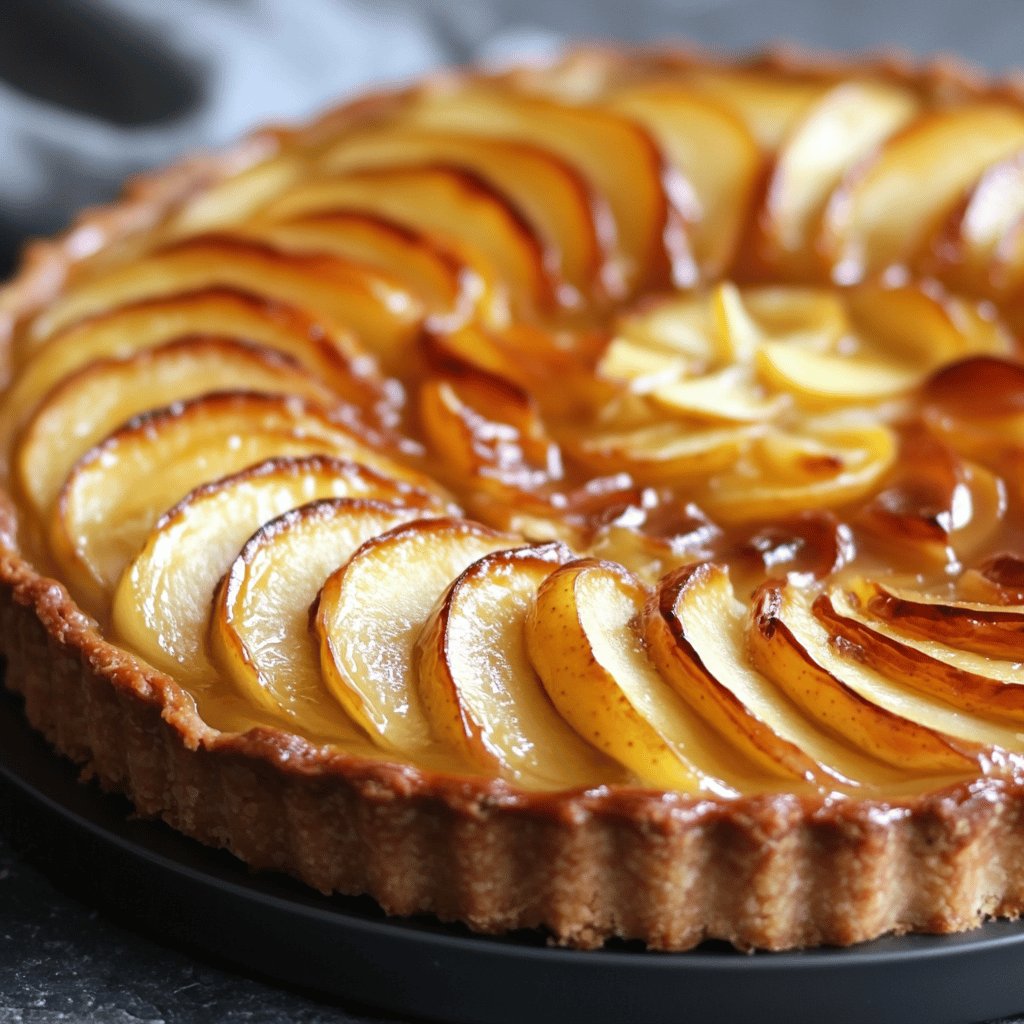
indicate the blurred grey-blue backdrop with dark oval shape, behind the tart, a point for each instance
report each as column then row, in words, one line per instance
column 93, row 91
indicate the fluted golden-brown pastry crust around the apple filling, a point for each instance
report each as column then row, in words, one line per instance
column 771, row 873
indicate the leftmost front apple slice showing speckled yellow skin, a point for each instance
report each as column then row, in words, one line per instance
column 582, row 643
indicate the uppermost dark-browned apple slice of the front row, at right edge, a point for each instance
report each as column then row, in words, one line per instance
column 993, row 630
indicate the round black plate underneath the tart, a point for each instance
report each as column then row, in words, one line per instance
column 173, row 888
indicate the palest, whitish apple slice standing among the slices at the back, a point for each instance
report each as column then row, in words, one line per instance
column 842, row 129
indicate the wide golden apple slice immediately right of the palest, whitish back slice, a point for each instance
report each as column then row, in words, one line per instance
column 874, row 221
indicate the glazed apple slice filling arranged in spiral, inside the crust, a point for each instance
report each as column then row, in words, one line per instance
column 737, row 422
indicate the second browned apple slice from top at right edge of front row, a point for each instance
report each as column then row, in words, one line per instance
column 977, row 685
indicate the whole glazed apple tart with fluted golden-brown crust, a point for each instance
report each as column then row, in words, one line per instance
column 586, row 497
